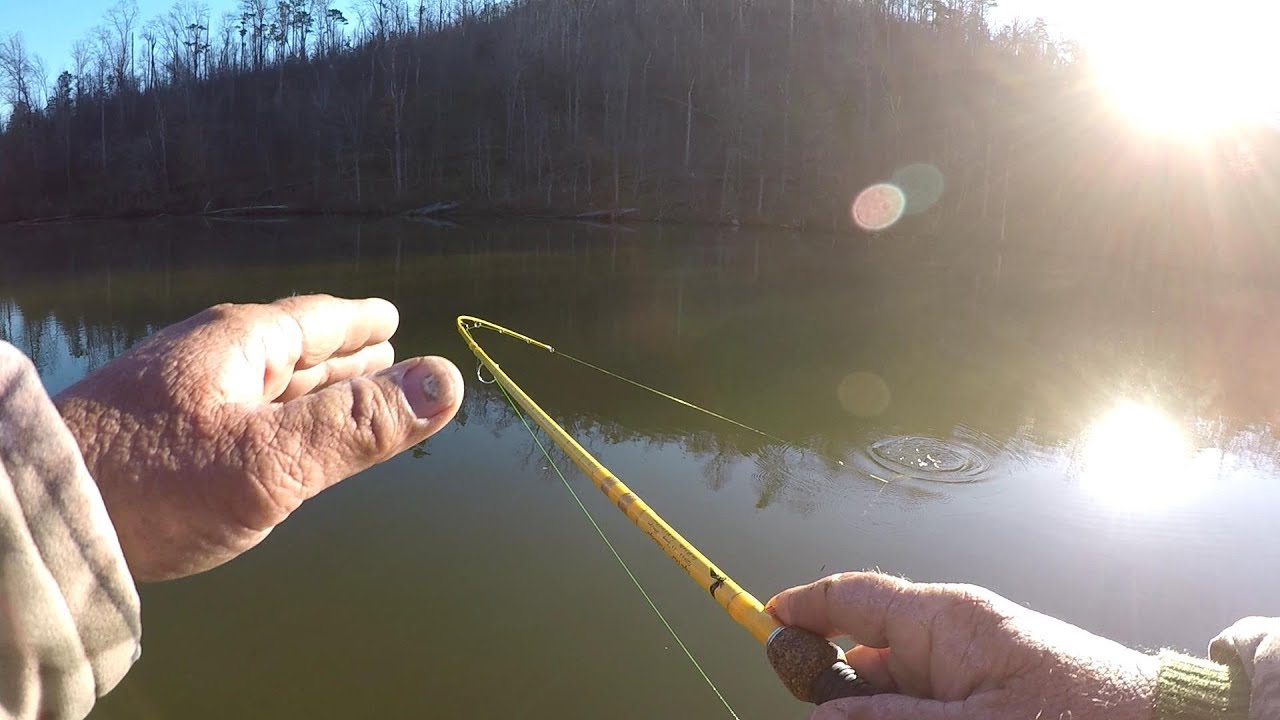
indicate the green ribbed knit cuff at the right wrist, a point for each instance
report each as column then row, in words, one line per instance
column 1194, row 689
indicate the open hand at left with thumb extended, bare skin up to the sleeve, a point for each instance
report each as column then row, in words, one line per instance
column 213, row 431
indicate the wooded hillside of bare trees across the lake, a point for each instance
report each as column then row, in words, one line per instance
column 685, row 110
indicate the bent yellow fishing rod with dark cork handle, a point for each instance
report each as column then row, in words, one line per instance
column 811, row 667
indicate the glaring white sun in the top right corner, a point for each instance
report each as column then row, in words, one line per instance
column 1191, row 71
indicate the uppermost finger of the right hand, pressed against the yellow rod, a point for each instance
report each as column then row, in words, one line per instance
column 848, row 604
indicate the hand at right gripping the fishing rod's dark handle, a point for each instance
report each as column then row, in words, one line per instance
column 963, row 653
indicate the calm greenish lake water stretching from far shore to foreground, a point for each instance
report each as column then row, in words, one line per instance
column 1091, row 438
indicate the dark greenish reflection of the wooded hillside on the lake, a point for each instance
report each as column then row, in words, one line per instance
column 1032, row 358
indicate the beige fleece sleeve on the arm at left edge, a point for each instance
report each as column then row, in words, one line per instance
column 70, row 616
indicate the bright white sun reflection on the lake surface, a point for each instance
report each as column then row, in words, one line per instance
column 1136, row 458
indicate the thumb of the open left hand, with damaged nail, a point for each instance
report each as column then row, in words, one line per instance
column 358, row 423
